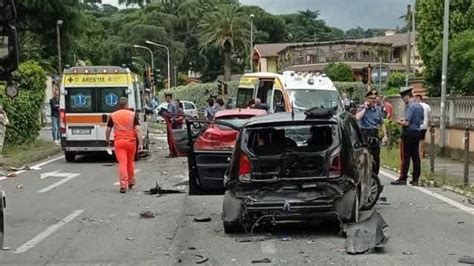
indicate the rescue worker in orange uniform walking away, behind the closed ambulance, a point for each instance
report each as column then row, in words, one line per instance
column 126, row 134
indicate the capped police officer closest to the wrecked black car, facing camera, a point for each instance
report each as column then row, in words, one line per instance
column 370, row 117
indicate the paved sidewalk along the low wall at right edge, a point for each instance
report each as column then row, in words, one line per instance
column 452, row 168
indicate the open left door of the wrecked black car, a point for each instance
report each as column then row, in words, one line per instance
column 206, row 168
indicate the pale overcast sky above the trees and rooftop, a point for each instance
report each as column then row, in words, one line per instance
column 344, row 14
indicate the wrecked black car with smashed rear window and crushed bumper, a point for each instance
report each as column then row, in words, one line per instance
column 296, row 167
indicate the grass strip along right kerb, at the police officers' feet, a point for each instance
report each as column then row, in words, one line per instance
column 391, row 159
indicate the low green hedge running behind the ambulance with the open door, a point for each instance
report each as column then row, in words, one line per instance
column 199, row 92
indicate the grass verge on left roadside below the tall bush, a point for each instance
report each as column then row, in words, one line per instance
column 16, row 156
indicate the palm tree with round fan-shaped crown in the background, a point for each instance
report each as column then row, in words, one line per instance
column 226, row 29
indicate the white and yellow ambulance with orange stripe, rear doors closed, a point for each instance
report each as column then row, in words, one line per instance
column 88, row 97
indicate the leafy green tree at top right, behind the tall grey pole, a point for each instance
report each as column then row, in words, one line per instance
column 430, row 29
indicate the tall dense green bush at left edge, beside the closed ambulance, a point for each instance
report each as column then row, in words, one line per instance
column 24, row 110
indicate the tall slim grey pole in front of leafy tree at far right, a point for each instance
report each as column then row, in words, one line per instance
column 444, row 71
